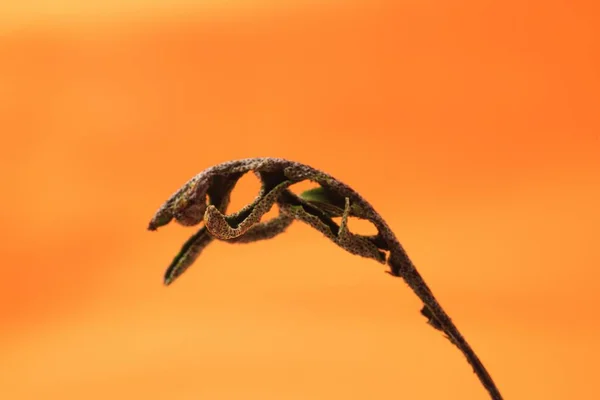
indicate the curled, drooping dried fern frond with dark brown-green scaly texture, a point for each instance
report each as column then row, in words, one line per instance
column 206, row 197
